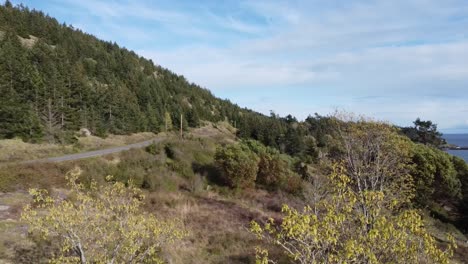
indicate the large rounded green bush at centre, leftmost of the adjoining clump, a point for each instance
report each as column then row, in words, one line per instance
column 238, row 165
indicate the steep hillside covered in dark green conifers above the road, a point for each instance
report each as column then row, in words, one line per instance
column 55, row 79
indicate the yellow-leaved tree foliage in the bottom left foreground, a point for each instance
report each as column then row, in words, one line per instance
column 104, row 225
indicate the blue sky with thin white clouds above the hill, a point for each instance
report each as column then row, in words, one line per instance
column 392, row 60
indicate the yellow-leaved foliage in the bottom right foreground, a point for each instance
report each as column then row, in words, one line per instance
column 338, row 230
